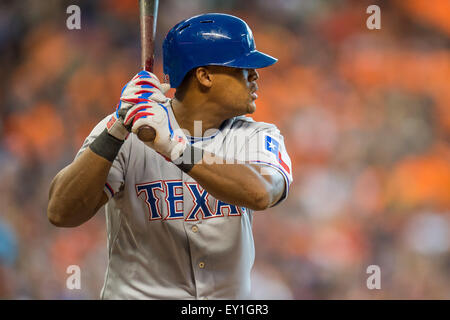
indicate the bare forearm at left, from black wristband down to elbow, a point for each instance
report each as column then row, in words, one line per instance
column 76, row 193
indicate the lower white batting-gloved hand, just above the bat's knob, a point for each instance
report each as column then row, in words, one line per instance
column 169, row 142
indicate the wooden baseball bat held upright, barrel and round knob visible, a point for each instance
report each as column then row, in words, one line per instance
column 148, row 14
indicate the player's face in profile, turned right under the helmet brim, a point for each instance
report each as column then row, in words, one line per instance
column 235, row 90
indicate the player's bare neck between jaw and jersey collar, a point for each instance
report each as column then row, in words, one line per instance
column 187, row 112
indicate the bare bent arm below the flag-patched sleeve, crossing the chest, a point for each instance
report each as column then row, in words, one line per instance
column 238, row 184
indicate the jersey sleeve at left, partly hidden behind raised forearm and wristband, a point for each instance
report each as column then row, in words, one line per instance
column 116, row 175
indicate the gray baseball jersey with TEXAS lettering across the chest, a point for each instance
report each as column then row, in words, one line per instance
column 168, row 238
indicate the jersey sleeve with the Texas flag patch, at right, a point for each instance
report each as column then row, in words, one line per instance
column 266, row 147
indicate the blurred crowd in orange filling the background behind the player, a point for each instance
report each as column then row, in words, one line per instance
column 366, row 120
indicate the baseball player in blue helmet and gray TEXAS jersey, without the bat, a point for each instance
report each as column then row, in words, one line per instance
column 179, row 208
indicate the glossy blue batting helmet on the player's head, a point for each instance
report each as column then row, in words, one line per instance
column 210, row 39
